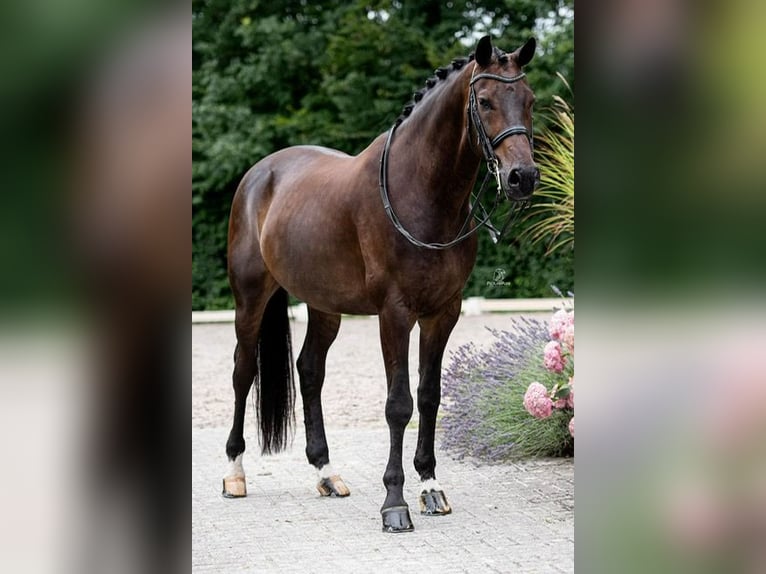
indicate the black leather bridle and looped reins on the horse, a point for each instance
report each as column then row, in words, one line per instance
column 493, row 167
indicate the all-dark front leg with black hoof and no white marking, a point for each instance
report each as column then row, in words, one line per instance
column 395, row 327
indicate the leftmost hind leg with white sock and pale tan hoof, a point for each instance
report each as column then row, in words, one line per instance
column 247, row 324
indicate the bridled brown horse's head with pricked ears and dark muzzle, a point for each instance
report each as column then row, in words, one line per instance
column 500, row 111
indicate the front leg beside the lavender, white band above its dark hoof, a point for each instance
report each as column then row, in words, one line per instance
column 434, row 333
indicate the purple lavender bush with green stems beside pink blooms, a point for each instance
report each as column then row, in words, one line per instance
column 483, row 390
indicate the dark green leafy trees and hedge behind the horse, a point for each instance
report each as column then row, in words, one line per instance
column 267, row 75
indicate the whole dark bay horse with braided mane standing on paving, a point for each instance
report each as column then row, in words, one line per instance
column 387, row 232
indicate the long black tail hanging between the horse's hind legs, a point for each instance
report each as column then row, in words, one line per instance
column 274, row 381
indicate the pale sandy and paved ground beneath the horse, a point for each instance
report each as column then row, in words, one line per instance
column 516, row 517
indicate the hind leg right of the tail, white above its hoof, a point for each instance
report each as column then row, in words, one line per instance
column 320, row 334
